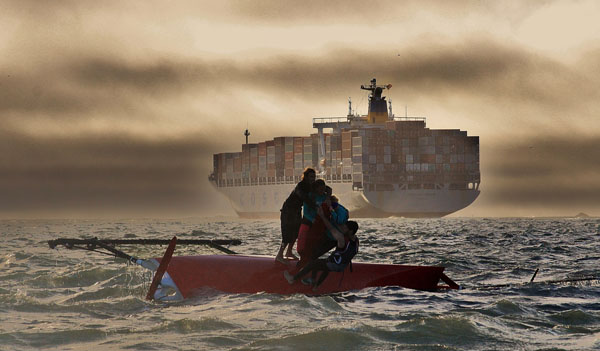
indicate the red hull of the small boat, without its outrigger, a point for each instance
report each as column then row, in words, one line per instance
column 253, row 274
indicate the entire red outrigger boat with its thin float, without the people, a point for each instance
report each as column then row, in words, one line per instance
column 182, row 277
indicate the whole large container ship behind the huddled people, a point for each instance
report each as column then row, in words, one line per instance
column 378, row 165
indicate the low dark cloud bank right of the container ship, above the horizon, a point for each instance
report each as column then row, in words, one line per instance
column 548, row 171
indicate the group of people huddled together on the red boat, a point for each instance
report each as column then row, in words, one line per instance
column 314, row 216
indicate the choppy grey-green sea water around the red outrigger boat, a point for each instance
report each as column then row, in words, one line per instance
column 76, row 300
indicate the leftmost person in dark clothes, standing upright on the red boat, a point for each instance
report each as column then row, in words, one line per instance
column 291, row 214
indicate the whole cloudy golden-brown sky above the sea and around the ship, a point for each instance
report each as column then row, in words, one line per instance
column 115, row 108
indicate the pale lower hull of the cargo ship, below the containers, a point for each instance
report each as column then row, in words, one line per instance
column 265, row 201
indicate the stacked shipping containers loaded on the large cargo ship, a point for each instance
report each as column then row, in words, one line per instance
column 401, row 154
